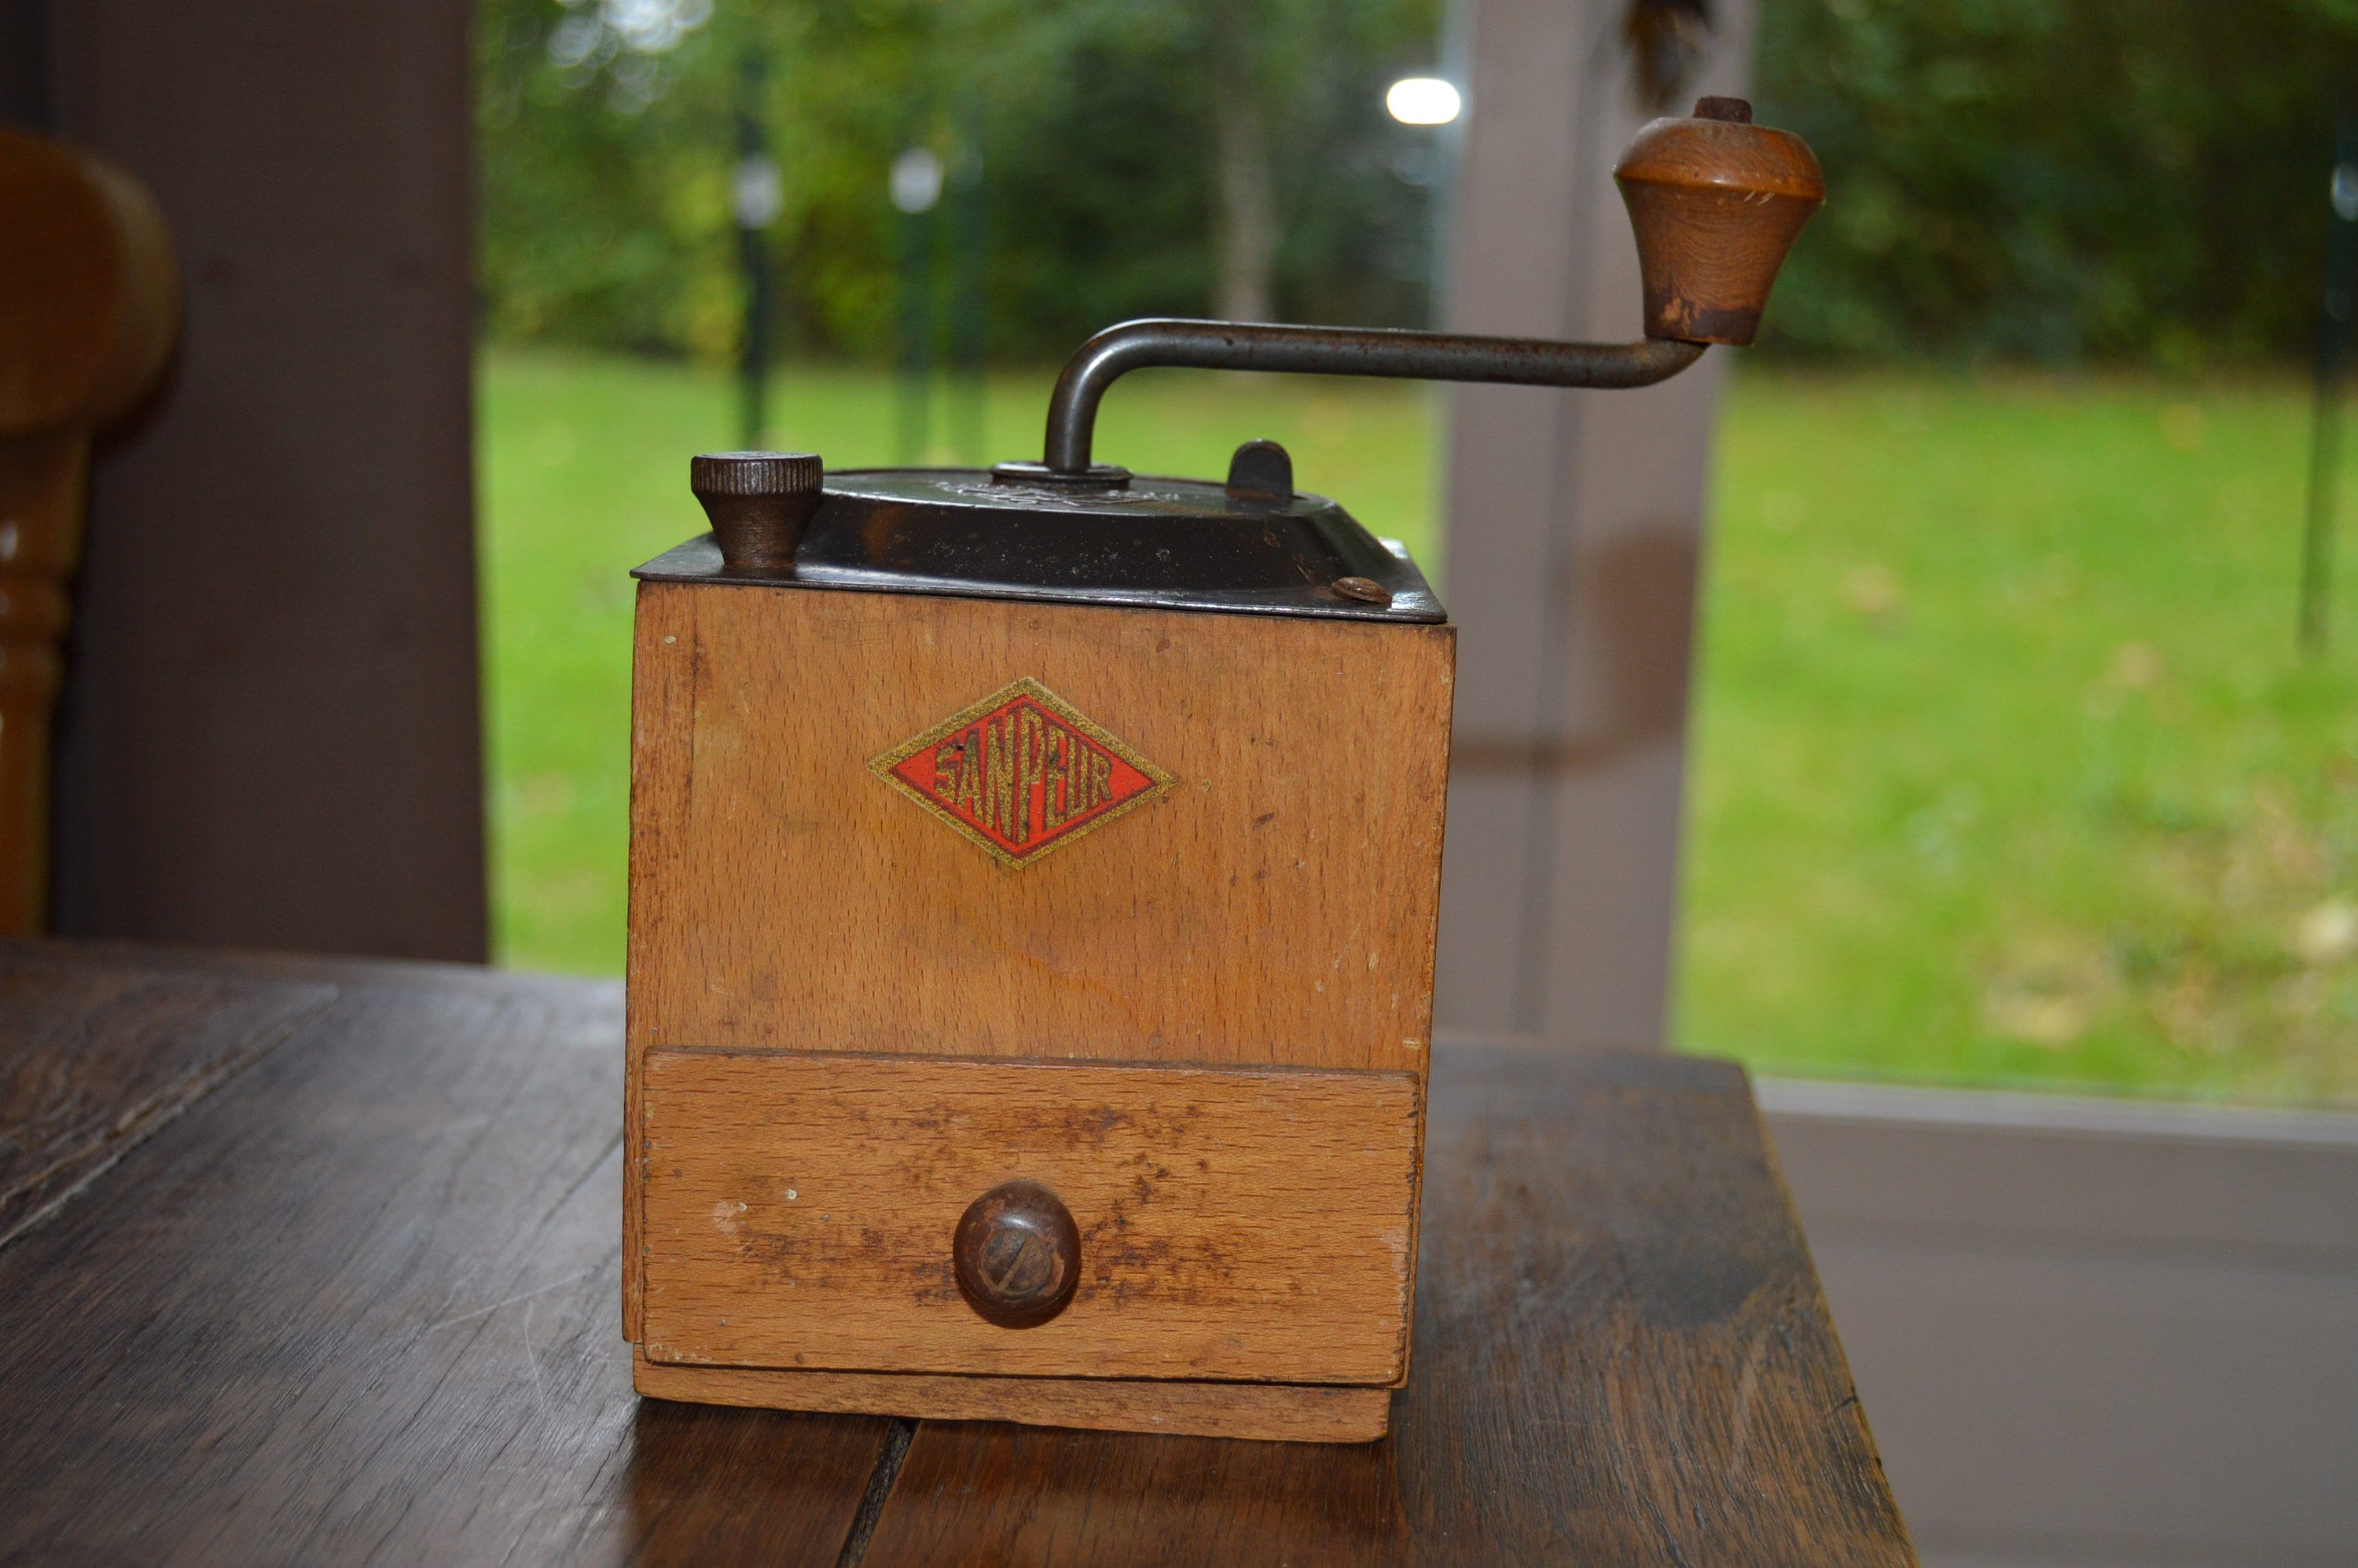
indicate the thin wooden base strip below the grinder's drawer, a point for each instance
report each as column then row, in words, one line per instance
column 1293, row 1414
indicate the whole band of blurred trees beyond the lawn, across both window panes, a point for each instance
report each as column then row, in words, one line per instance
column 2135, row 180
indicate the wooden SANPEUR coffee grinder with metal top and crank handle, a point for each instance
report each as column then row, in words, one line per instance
column 1034, row 883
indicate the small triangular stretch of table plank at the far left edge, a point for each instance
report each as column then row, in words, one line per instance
column 98, row 1055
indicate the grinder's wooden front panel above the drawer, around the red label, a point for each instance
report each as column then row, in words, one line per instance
column 1270, row 900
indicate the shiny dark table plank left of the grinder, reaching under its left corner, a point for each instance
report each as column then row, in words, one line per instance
column 362, row 1303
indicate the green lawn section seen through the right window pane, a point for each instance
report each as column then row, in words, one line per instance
column 2008, row 770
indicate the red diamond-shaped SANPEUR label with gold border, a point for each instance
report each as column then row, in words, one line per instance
column 1022, row 772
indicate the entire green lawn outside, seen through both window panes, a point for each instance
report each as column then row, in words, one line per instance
column 2005, row 770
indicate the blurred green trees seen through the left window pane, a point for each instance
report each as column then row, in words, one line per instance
column 1138, row 154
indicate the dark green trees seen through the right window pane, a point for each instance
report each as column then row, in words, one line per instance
column 2130, row 180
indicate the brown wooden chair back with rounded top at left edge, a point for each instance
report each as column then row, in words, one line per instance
column 88, row 312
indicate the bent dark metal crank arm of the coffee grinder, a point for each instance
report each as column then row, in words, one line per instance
column 1423, row 357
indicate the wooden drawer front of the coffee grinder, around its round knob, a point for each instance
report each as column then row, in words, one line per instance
column 1234, row 1223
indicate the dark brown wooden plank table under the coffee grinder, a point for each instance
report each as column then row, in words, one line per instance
column 315, row 1263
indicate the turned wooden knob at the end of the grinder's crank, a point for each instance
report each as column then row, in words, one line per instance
column 1715, row 204
